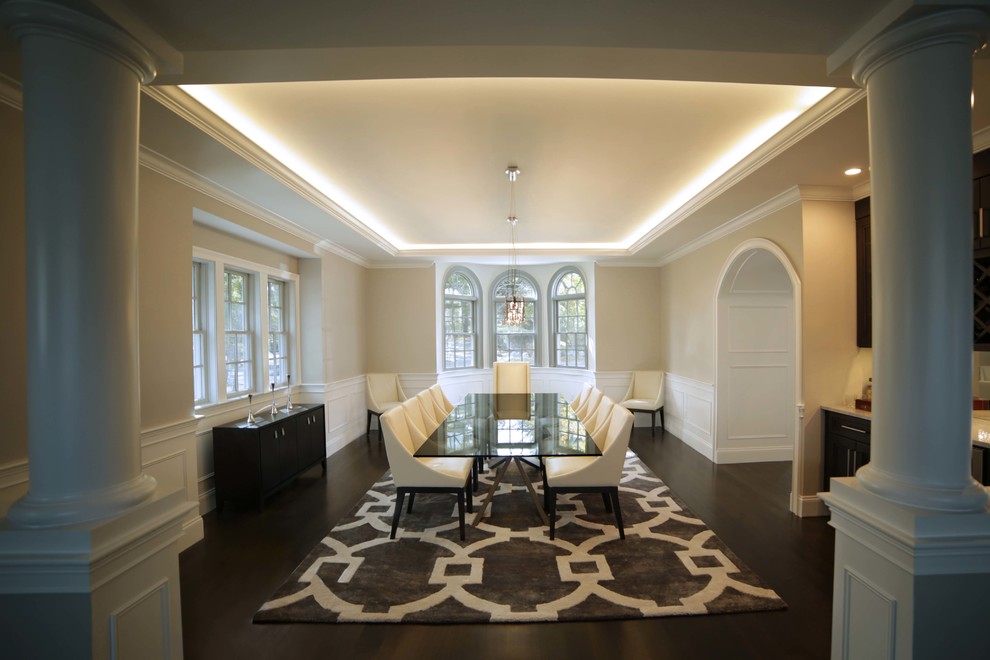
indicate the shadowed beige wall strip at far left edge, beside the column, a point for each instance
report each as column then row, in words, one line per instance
column 13, row 328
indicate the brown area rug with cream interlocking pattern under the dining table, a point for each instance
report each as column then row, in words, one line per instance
column 508, row 570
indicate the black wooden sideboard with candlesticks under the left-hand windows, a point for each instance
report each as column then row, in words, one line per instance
column 252, row 461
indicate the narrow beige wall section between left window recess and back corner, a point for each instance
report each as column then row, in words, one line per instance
column 345, row 294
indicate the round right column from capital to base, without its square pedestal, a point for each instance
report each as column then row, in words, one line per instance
column 918, row 80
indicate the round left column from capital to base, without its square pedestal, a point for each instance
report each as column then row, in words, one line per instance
column 81, row 83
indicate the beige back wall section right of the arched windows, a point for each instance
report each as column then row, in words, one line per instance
column 628, row 321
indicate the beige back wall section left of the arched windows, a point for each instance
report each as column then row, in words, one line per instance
column 401, row 320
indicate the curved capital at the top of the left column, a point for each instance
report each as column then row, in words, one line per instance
column 27, row 18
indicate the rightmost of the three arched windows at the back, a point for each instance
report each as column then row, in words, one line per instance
column 569, row 319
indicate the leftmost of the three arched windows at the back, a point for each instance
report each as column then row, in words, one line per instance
column 461, row 347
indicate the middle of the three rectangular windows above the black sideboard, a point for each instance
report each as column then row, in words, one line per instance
column 238, row 337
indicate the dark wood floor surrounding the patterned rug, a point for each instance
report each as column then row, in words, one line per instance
column 246, row 555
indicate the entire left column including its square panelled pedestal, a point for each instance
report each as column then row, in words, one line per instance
column 88, row 558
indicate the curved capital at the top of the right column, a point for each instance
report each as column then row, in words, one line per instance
column 964, row 26
